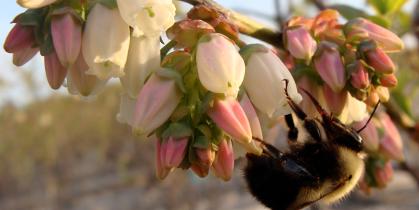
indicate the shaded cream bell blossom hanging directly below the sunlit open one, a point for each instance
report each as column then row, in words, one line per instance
column 143, row 60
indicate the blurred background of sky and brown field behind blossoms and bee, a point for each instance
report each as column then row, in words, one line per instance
column 60, row 152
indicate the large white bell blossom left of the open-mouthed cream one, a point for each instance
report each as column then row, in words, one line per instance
column 105, row 42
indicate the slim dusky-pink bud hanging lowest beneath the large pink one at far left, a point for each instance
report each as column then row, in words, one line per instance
column 56, row 72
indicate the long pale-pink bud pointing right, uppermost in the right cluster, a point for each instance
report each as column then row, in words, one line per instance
column 385, row 39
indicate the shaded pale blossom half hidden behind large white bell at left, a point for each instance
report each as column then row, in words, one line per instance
column 80, row 83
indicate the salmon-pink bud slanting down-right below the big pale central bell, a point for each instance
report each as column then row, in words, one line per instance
column 229, row 116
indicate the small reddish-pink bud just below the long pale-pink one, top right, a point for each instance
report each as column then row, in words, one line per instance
column 380, row 61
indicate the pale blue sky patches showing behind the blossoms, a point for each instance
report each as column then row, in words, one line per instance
column 14, row 90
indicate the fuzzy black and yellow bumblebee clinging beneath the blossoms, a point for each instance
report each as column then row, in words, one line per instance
column 326, row 167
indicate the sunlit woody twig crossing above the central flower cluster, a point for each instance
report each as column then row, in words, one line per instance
column 246, row 25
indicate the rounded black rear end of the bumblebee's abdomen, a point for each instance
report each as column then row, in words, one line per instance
column 269, row 184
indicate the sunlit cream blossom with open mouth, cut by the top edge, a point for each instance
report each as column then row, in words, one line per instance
column 147, row 17
